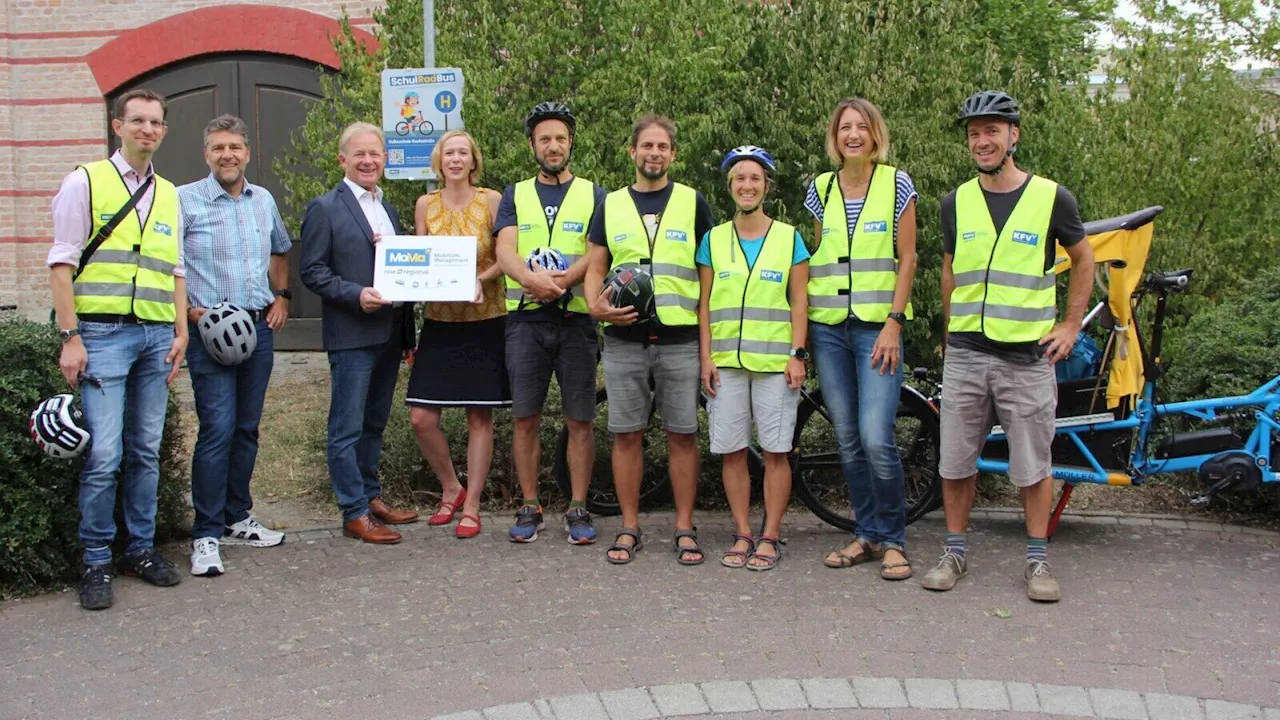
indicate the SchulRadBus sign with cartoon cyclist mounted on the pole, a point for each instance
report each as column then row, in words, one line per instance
column 419, row 106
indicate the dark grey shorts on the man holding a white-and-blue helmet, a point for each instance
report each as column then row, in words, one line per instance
column 537, row 350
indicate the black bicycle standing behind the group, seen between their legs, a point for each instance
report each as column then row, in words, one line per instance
column 817, row 476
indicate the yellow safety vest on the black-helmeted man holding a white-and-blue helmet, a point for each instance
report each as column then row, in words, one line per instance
column 565, row 233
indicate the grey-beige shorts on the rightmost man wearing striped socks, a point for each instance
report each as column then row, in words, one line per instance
column 977, row 390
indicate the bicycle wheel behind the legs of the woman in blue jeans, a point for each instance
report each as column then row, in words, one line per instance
column 821, row 484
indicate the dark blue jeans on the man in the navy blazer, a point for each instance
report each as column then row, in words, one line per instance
column 363, row 382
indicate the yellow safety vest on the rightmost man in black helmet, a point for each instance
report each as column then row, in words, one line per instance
column 1003, row 289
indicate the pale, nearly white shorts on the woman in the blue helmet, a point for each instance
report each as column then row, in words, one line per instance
column 744, row 397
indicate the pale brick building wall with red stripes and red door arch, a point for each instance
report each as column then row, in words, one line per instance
column 60, row 60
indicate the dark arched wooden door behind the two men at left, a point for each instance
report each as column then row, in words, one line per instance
column 272, row 95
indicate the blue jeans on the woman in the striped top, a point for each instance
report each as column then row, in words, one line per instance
column 863, row 407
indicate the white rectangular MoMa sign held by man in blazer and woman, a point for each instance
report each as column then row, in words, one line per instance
column 426, row 268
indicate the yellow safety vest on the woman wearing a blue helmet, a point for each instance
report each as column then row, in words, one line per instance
column 751, row 311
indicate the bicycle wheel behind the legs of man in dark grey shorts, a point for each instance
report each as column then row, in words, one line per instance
column 601, row 496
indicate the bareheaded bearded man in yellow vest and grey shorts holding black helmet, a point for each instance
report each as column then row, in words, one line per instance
column 655, row 224
